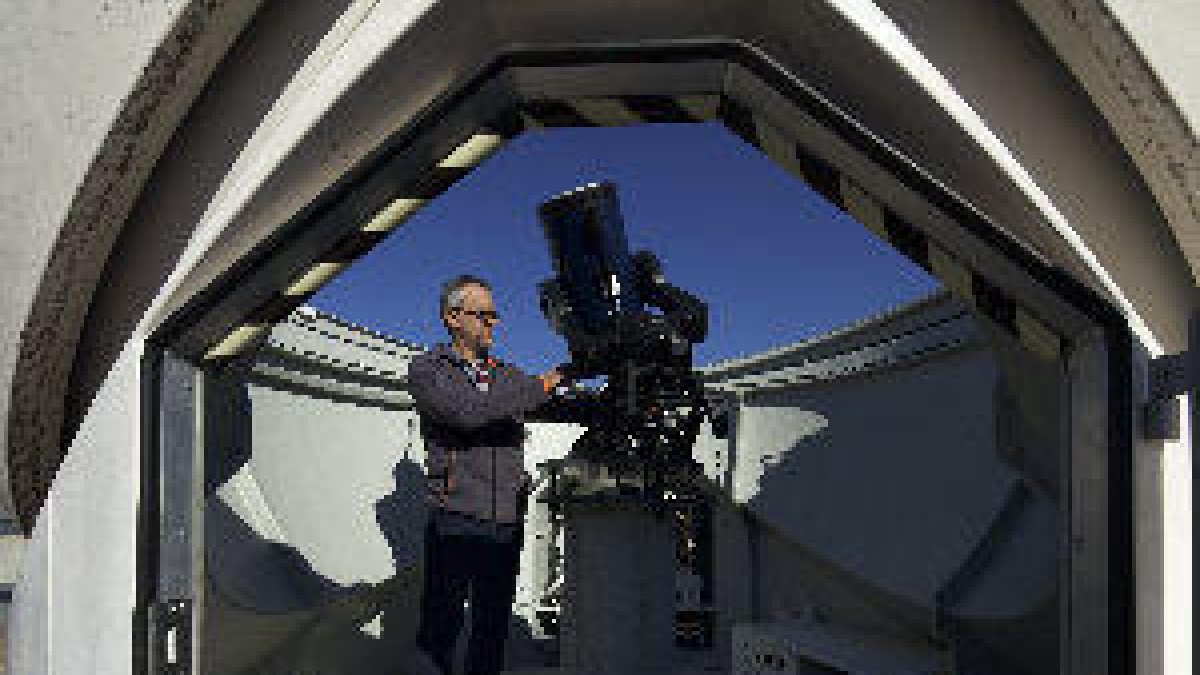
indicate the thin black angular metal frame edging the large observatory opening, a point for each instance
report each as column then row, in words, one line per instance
column 352, row 189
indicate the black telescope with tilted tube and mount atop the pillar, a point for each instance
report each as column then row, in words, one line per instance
column 602, row 302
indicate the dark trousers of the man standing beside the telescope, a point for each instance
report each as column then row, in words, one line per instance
column 454, row 566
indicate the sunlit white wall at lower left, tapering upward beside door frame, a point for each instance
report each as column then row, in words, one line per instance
column 82, row 555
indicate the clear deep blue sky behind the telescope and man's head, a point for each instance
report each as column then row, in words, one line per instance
column 775, row 261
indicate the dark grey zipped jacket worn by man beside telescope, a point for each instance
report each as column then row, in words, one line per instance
column 475, row 440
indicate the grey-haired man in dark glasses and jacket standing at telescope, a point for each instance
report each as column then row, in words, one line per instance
column 471, row 407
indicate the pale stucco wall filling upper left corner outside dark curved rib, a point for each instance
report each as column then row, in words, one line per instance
column 67, row 73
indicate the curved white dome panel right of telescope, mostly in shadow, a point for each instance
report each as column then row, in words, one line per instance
column 905, row 461
